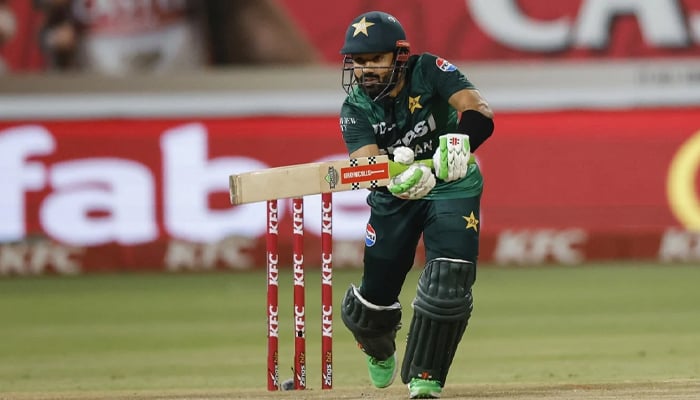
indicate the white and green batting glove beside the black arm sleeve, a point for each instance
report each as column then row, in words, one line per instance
column 451, row 159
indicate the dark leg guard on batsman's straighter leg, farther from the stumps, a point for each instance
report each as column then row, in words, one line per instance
column 442, row 308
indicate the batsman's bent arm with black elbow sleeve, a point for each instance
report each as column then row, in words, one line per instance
column 477, row 116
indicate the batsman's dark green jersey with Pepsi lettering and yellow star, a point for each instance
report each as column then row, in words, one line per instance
column 415, row 118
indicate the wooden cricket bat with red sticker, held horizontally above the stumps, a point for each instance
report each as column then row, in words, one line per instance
column 314, row 178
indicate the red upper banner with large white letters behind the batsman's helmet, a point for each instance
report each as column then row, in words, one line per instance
column 519, row 30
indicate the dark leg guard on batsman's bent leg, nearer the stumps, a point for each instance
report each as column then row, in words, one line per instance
column 374, row 327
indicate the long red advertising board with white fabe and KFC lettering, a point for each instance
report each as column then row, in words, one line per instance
column 564, row 187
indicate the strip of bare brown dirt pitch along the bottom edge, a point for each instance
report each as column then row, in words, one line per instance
column 672, row 390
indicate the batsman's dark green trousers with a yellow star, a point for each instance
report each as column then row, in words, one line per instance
column 450, row 229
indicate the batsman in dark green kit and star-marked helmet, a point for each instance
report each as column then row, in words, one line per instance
column 413, row 107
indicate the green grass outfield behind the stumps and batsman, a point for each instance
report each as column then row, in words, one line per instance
column 535, row 332
